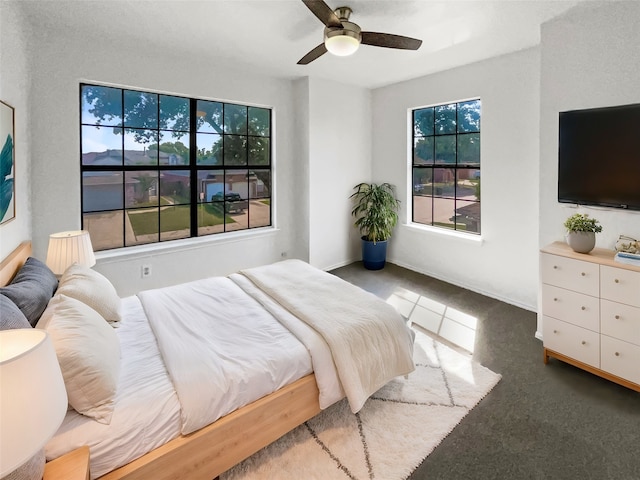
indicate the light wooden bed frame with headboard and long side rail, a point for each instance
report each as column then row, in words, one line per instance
column 216, row 448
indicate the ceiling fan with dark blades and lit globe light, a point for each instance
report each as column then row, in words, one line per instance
column 342, row 37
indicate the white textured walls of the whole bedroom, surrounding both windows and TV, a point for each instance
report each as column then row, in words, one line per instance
column 587, row 58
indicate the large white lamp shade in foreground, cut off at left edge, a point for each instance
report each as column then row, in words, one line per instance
column 33, row 399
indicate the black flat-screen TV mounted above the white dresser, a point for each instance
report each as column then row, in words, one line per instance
column 599, row 157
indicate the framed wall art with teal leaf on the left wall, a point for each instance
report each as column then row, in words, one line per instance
column 7, row 163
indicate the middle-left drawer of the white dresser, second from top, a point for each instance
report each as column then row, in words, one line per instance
column 577, row 308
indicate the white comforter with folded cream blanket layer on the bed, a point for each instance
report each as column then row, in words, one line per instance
column 353, row 341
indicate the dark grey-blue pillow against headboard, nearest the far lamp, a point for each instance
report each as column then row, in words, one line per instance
column 31, row 289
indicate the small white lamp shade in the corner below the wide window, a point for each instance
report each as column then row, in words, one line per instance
column 67, row 248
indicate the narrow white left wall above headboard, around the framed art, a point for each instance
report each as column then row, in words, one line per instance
column 14, row 90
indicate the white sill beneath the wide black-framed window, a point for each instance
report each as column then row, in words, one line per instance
column 141, row 251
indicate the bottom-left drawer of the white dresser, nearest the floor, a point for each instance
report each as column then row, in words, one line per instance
column 575, row 342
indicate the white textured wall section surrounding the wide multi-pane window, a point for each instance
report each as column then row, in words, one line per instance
column 60, row 62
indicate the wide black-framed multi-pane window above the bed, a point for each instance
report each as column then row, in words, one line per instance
column 161, row 167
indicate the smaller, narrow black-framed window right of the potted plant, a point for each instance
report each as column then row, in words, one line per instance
column 446, row 166
